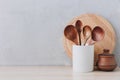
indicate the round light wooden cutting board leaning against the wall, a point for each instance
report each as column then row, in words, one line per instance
column 93, row 20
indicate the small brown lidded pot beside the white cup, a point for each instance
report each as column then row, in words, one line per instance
column 106, row 61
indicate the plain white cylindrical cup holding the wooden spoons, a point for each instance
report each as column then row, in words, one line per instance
column 83, row 58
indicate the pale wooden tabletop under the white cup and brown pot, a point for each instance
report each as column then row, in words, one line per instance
column 53, row 73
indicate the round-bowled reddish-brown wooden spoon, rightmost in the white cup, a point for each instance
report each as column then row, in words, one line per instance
column 97, row 35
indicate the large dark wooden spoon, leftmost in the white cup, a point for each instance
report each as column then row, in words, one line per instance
column 70, row 33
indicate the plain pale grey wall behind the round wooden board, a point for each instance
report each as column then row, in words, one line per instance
column 31, row 30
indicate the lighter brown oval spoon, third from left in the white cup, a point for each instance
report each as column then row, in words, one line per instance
column 87, row 33
